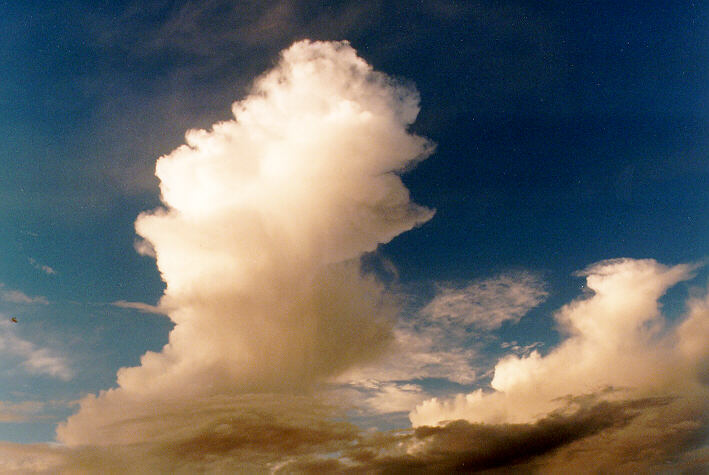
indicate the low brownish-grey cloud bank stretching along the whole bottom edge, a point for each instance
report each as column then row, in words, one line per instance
column 260, row 433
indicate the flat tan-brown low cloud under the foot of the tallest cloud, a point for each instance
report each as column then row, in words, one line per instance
column 245, row 433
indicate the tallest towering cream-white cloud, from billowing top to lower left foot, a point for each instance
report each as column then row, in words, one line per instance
column 265, row 217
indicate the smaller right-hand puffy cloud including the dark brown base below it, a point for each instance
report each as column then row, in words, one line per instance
column 623, row 381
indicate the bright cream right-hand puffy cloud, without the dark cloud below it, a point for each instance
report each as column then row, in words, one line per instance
column 614, row 339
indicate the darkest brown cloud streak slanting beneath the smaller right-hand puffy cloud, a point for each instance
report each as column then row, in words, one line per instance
column 460, row 446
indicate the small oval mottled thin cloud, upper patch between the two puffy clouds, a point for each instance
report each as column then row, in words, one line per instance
column 488, row 303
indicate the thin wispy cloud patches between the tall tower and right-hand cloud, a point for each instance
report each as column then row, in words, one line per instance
column 440, row 339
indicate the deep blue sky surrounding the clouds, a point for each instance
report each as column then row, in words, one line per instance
column 566, row 132
